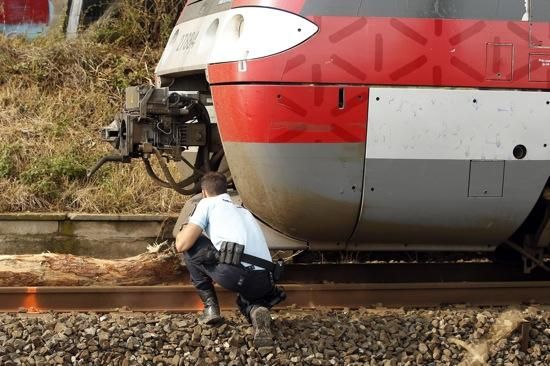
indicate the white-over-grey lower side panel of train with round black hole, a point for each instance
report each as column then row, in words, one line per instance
column 422, row 188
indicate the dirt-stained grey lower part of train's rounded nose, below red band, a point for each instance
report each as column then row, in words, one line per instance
column 306, row 191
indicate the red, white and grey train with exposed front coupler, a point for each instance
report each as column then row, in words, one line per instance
column 360, row 125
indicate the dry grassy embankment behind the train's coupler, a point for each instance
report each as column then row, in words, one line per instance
column 54, row 98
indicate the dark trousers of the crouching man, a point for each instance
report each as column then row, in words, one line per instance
column 255, row 287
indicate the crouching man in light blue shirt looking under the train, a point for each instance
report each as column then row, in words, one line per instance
column 235, row 256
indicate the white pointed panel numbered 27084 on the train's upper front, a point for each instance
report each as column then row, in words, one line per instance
column 238, row 34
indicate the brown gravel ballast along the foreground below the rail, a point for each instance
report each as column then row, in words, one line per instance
column 387, row 337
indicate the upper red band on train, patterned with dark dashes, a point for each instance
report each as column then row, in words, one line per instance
column 403, row 51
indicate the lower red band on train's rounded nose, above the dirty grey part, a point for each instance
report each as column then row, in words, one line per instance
column 291, row 114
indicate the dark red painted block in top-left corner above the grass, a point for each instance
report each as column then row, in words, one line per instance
column 15, row 12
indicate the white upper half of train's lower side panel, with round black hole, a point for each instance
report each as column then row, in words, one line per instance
column 457, row 124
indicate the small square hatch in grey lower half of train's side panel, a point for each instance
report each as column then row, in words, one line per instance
column 486, row 179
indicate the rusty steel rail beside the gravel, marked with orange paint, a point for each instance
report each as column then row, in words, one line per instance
column 184, row 298
